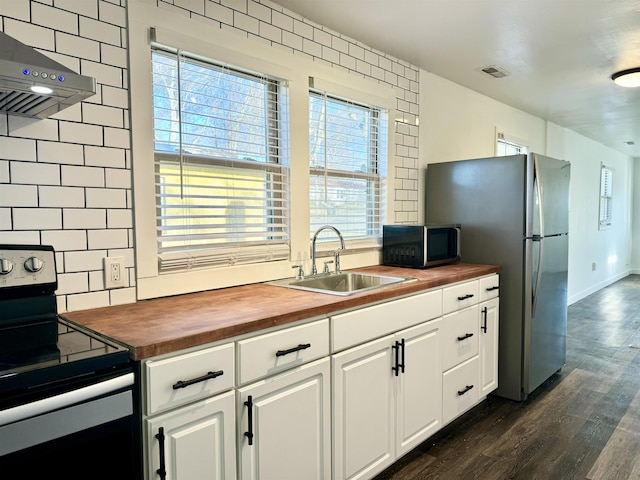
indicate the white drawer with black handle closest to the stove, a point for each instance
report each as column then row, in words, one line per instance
column 188, row 377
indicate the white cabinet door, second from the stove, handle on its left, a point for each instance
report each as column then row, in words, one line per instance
column 285, row 425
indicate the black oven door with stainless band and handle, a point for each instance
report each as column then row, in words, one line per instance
column 82, row 433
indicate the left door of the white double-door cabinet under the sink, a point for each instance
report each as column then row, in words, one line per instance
column 363, row 410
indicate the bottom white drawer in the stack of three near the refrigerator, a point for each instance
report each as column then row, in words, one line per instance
column 460, row 389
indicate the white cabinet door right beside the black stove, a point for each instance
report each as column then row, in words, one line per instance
column 195, row 442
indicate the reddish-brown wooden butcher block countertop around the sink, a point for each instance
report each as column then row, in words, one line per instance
column 163, row 325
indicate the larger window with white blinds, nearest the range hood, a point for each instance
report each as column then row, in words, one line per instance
column 221, row 164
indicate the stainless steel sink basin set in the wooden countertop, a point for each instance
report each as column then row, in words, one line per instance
column 346, row 283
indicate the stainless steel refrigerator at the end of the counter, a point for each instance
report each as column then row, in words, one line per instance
column 514, row 212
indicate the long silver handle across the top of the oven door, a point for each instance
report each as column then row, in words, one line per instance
column 29, row 410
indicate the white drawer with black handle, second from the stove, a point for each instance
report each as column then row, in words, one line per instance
column 273, row 352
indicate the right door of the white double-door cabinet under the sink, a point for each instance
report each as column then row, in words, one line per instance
column 419, row 385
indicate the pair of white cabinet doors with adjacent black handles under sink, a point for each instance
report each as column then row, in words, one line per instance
column 387, row 399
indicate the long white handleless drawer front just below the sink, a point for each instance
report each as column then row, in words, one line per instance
column 360, row 326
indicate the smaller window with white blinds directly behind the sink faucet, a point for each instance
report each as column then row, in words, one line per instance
column 348, row 166
